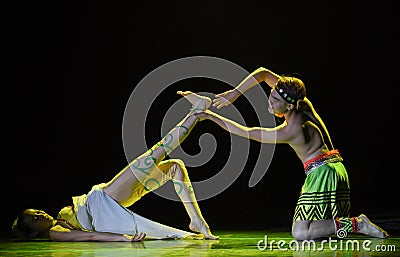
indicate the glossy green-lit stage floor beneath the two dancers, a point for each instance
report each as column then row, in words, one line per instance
column 231, row 243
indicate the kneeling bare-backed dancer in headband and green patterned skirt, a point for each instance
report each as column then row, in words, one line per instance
column 324, row 204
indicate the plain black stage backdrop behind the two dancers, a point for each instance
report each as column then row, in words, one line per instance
column 72, row 66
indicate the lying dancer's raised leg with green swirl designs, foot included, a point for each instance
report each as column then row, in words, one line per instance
column 125, row 186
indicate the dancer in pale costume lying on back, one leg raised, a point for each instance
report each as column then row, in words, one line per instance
column 101, row 215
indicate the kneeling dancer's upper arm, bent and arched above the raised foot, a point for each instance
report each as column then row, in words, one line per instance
column 257, row 76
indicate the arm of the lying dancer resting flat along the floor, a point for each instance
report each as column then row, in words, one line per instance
column 58, row 233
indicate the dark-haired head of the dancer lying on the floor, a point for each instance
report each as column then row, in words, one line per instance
column 30, row 223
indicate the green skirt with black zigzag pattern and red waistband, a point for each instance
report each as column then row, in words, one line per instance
column 326, row 190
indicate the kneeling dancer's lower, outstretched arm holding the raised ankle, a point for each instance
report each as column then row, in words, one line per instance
column 263, row 135
